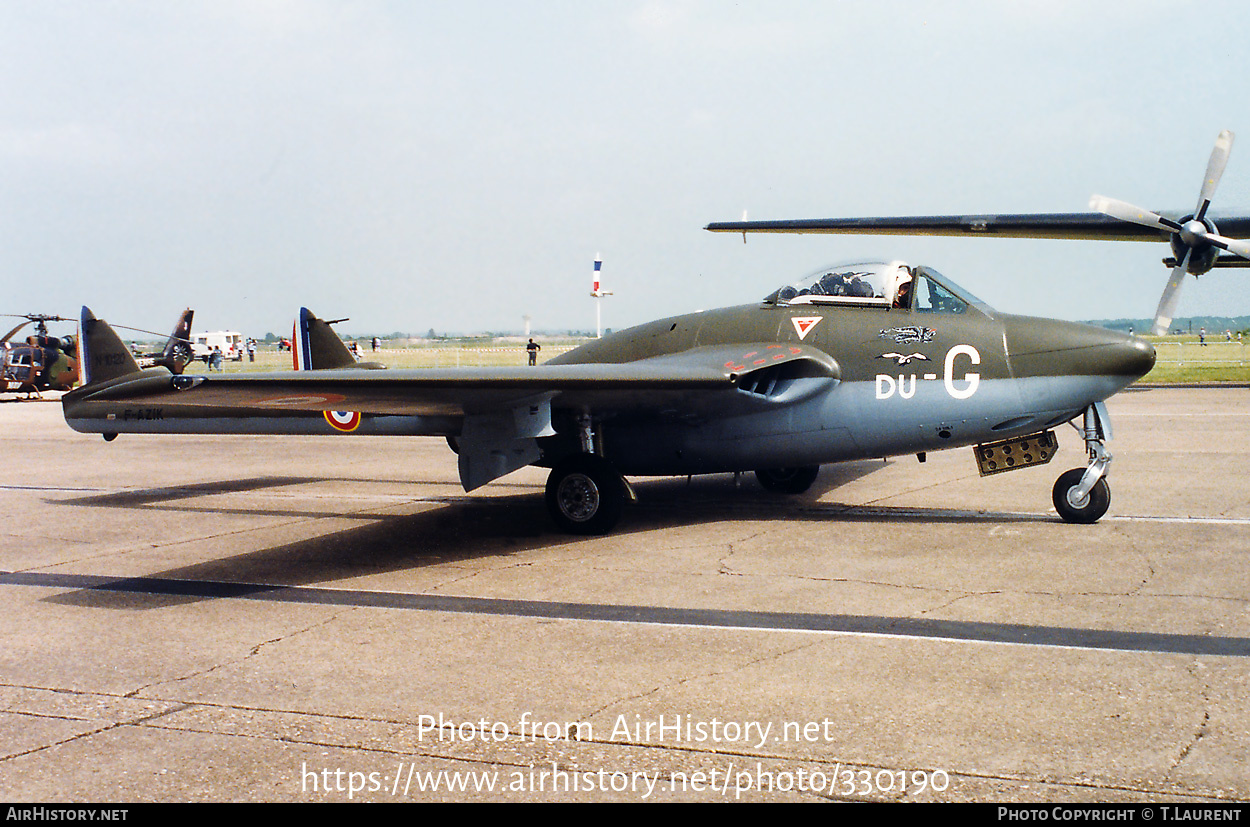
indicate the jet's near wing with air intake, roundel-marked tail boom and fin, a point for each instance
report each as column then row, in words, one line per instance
column 497, row 414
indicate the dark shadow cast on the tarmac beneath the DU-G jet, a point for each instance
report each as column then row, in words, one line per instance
column 459, row 528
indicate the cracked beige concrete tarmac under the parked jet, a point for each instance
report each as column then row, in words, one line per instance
column 333, row 619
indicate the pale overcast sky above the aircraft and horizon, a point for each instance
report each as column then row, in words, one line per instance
column 458, row 166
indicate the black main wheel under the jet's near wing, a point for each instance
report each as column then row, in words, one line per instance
column 586, row 495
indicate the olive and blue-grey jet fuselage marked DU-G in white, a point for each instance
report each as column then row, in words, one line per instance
column 911, row 382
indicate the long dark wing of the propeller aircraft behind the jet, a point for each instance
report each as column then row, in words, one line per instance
column 1038, row 225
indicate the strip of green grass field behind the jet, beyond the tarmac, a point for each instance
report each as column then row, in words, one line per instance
column 1181, row 359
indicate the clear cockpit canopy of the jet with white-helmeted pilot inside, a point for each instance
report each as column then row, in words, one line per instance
column 879, row 284
